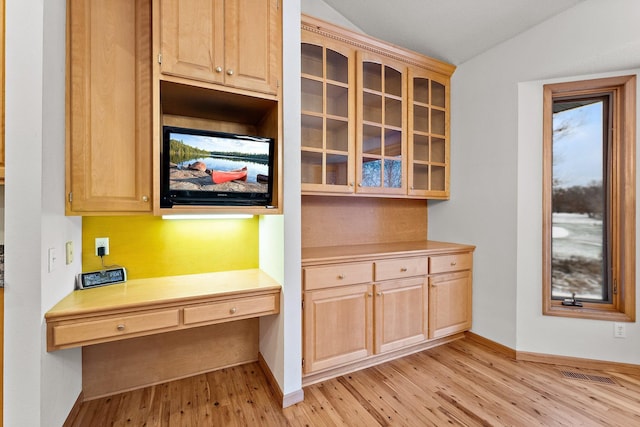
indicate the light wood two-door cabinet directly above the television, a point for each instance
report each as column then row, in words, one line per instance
column 234, row 43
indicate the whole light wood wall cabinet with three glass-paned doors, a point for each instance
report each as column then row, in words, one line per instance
column 400, row 110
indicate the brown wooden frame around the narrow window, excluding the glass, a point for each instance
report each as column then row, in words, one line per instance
column 622, row 183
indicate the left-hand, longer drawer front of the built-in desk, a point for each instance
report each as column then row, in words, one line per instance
column 115, row 326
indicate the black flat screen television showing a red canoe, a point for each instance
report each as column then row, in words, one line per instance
column 207, row 168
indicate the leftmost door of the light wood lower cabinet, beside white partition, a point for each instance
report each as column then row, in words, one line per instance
column 338, row 326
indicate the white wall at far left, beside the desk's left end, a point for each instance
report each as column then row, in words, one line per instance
column 39, row 388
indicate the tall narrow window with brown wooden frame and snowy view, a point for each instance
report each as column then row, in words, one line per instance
column 589, row 199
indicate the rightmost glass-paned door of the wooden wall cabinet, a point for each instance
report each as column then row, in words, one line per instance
column 428, row 135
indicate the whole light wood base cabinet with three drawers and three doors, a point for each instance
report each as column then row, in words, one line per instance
column 365, row 304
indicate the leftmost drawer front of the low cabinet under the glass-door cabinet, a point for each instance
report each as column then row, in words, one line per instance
column 336, row 275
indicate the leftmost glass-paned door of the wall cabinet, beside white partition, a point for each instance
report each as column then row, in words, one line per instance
column 326, row 132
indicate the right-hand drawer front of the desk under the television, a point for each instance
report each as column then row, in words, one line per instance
column 232, row 309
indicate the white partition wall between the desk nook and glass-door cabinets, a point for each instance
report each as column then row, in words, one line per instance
column 281, row 336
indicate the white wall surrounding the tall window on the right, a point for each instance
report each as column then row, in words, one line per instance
column 496, row 174
